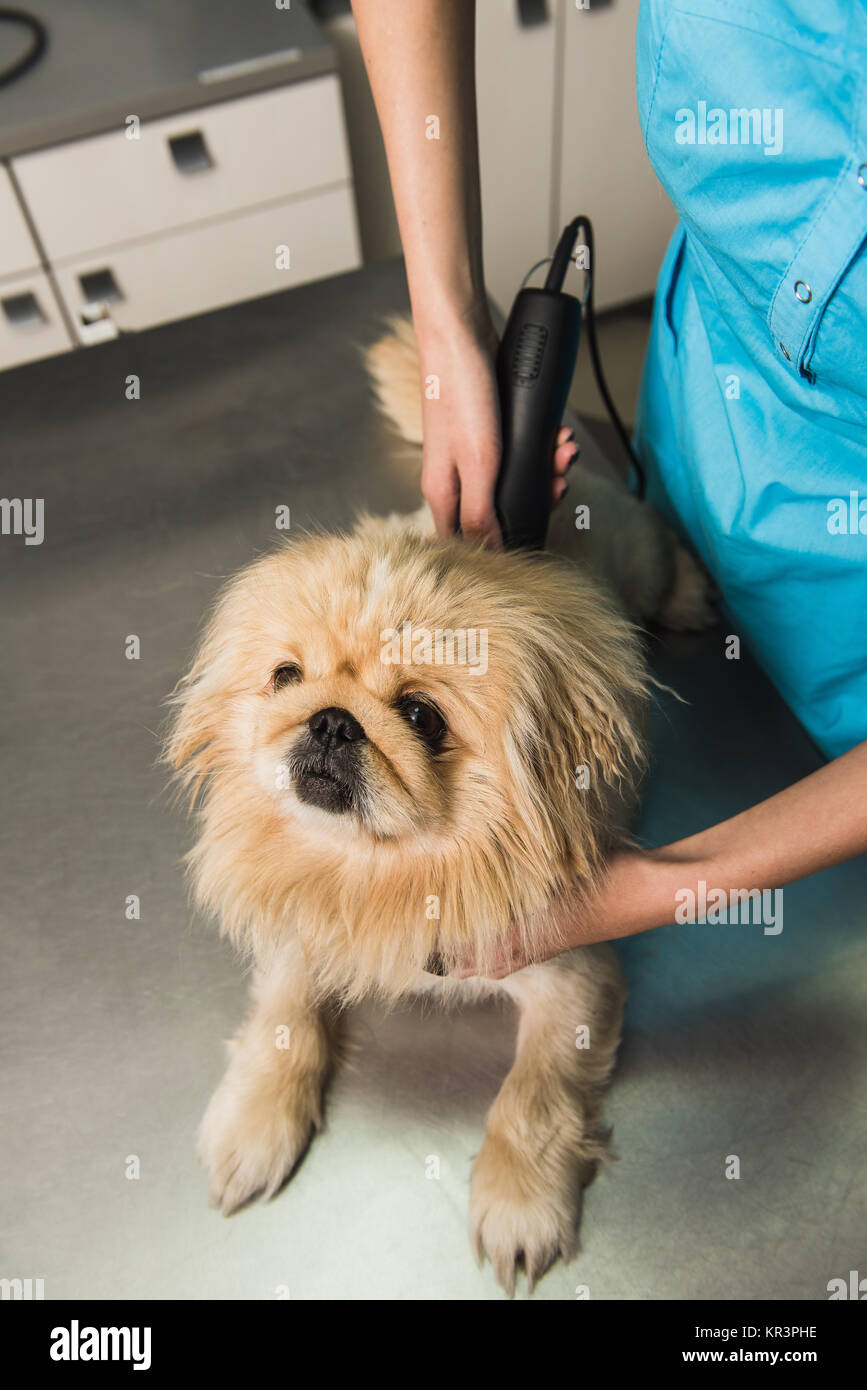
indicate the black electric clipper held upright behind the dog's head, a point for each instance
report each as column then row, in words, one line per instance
column 536, row 366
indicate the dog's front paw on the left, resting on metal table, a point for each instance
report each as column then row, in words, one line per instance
column 252, row 1138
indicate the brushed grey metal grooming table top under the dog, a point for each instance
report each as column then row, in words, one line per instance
column 737, row 1043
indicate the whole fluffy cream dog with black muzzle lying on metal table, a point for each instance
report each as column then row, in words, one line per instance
column 372, row 804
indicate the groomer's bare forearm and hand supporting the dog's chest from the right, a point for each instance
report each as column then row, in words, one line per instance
column 811, row 826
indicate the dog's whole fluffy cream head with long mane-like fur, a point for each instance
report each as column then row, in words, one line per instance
column 409, row 730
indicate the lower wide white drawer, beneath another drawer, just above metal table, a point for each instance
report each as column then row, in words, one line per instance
column 202, row 268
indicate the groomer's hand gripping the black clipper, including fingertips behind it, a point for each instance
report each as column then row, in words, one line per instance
column 462, row 426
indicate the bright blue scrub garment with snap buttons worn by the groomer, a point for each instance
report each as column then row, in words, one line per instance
column 754, row 408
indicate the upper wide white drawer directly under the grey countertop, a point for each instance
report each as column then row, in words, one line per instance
column 110, row 190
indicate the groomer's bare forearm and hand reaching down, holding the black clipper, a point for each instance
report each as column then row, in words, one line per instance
column 420, row 58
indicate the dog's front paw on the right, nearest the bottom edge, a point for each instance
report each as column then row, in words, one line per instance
column 522, row 1214
